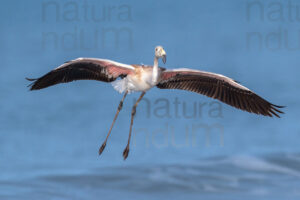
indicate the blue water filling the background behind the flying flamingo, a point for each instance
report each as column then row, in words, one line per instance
column 199, row 149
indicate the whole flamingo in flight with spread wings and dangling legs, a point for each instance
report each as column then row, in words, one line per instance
column 141, row 78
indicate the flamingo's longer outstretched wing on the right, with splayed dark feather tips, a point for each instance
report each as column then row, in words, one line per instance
column 218, row 87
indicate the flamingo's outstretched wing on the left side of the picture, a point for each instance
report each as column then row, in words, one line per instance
column 82, row 69
